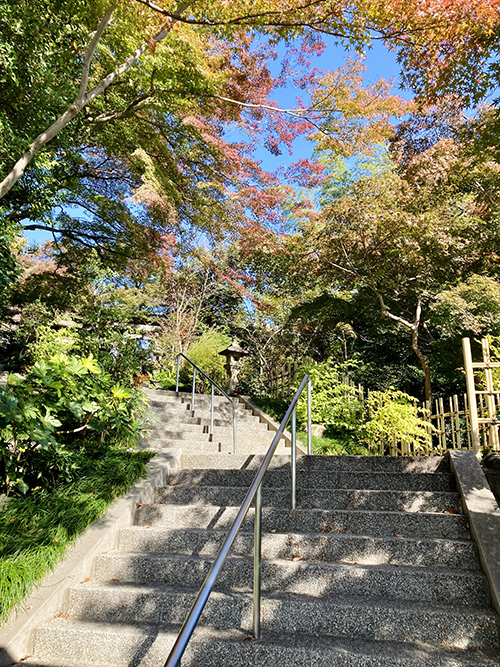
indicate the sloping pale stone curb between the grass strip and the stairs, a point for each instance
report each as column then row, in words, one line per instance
column 51, row 595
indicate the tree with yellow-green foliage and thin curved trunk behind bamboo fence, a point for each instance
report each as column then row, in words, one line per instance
column 404, row 237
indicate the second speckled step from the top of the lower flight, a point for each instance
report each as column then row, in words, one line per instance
column 326, row 479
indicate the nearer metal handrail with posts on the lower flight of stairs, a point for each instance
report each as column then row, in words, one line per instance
column 254, row 491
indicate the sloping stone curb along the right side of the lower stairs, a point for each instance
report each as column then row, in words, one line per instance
column 482, row 510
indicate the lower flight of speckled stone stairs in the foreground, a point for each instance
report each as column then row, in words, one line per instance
column 374, row 568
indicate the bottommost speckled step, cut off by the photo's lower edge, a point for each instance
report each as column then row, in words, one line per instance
column 140, row 645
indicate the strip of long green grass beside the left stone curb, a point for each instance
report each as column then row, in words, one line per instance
column 35, row 531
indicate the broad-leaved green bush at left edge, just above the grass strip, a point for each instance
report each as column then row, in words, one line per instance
column 53, row 406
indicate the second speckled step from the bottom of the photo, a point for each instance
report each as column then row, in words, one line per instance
column 336, row 616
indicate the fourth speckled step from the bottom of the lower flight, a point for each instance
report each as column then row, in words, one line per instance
column 356, row 549
